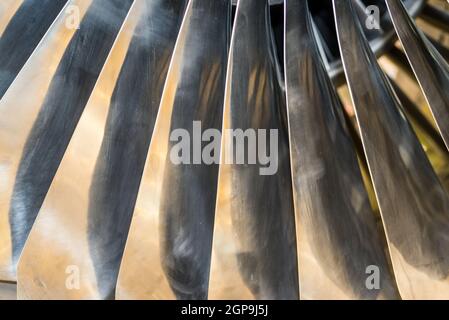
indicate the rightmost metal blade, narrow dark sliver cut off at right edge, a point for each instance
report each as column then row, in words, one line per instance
column 430, row 68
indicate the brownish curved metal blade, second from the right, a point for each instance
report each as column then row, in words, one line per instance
column 413, row 204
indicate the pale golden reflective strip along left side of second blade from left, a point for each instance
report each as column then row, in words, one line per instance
column 34, row 79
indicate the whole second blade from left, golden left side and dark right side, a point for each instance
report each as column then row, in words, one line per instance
column 58, row 83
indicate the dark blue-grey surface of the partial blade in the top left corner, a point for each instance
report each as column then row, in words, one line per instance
column 22, row 34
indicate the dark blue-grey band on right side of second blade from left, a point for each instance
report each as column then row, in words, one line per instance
column 66, row 98
